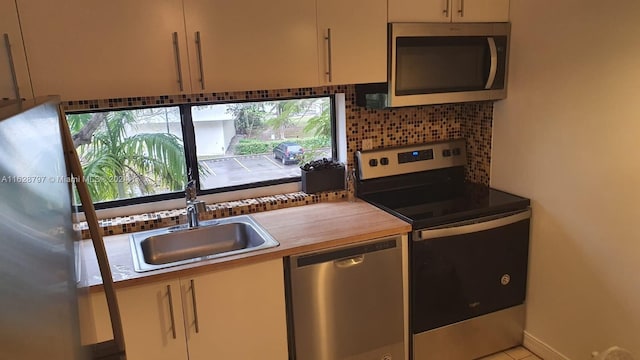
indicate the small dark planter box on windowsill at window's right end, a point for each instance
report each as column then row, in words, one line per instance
column 322, row 175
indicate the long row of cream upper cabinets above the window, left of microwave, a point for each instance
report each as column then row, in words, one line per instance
column 89, row 49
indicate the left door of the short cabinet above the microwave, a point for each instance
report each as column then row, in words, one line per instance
column 420, row 10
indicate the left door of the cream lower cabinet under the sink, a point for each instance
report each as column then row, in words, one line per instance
column 153, row 322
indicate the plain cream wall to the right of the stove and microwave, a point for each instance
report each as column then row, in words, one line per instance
column 568, row 136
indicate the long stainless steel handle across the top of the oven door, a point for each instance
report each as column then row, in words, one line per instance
column 472, row 226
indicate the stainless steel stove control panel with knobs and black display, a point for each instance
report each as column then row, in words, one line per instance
column 414, row 158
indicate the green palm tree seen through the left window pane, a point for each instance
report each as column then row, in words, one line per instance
column 117, row 165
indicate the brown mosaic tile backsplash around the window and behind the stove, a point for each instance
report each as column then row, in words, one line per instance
column 381, row 128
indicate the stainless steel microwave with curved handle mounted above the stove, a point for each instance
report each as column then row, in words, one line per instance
column 441, row 63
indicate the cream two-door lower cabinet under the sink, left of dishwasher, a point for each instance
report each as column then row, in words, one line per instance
column 237, row 313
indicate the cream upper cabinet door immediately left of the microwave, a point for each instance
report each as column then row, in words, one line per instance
column 356, row 50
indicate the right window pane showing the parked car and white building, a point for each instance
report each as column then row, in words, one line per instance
column 244, row 143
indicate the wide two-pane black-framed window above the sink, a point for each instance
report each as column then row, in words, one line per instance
column 141, row 155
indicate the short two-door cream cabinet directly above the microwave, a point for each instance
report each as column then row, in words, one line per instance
column 448, row 10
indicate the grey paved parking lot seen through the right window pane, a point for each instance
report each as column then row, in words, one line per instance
column 239, row 170
